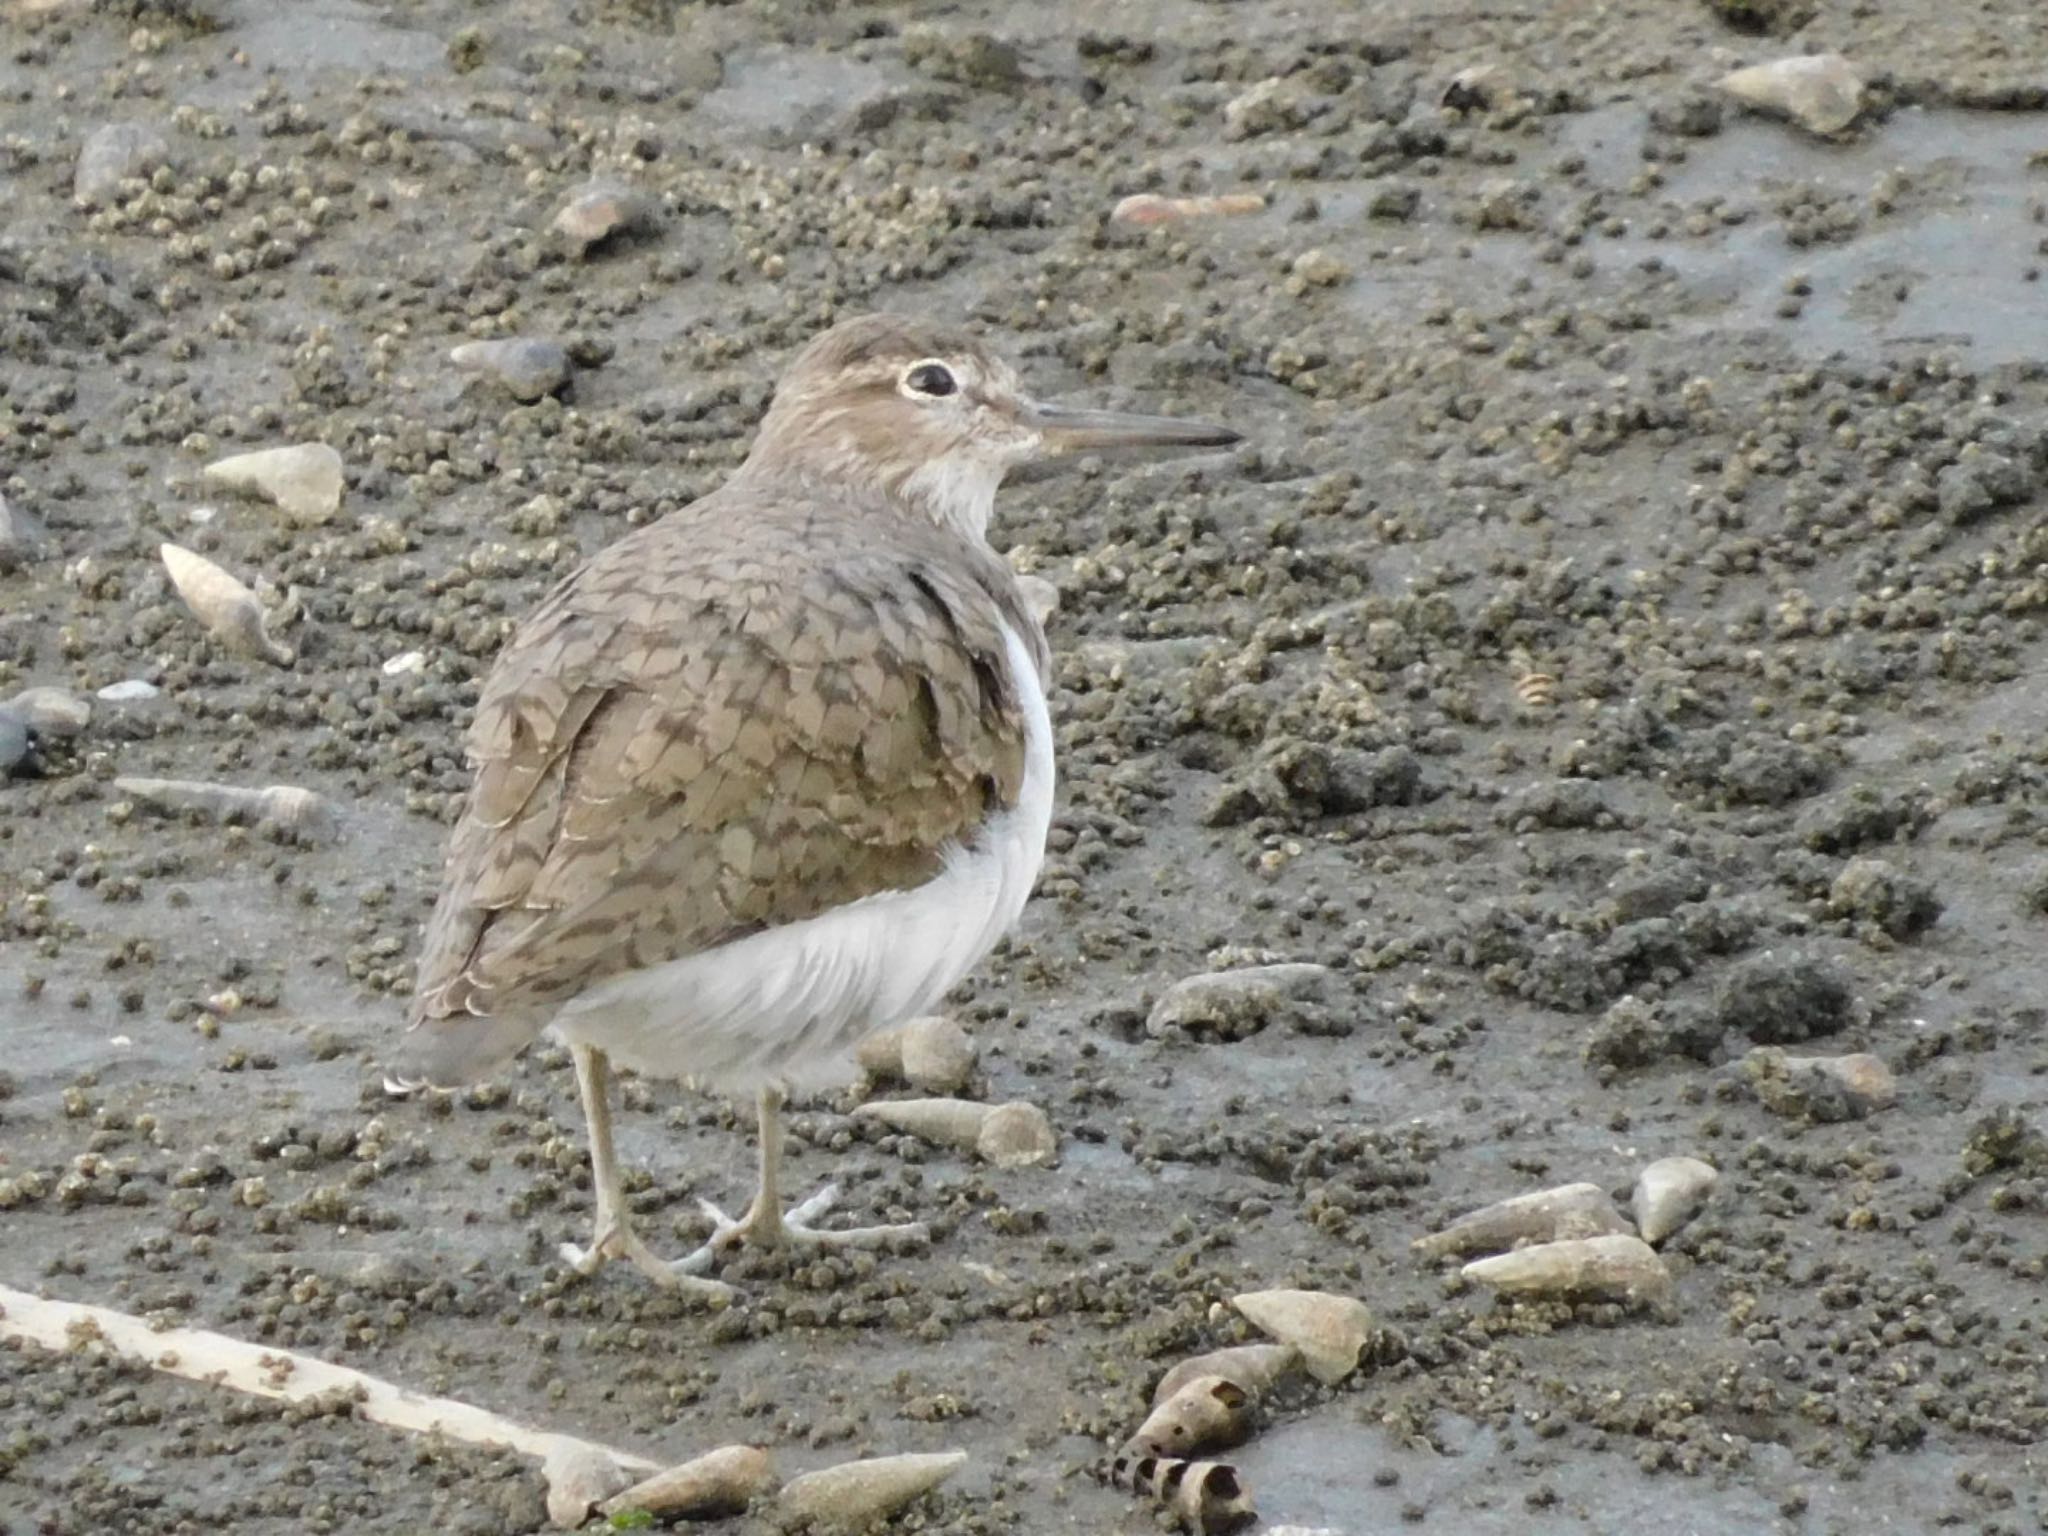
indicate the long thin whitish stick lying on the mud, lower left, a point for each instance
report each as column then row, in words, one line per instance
column 577, row 1471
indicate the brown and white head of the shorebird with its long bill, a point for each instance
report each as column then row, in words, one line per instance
column 933, row 419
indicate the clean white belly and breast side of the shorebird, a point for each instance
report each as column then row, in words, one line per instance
column 790, row 1005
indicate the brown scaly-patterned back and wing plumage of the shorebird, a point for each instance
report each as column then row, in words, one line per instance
column 699, row 738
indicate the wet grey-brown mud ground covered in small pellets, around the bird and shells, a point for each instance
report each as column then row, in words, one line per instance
column 1619, row 646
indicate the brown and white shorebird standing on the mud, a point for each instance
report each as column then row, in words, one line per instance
column 767, row 775
